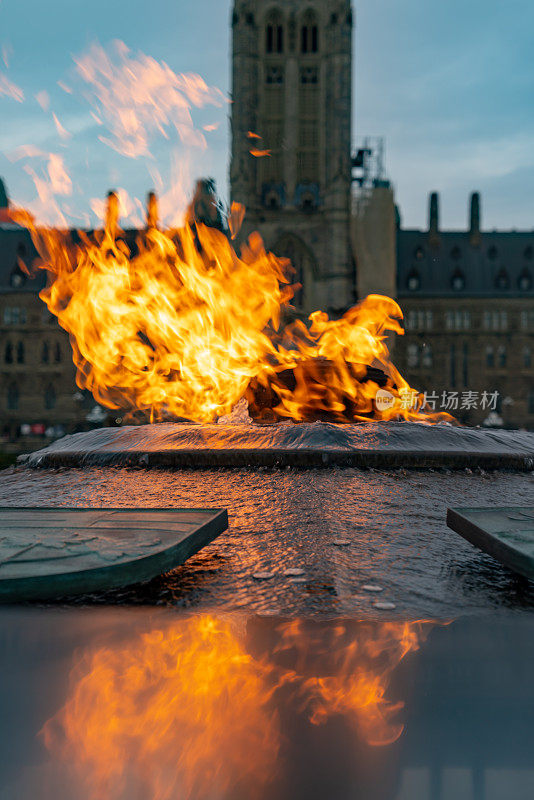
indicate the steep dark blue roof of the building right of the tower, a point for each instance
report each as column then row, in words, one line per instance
column 501, row 264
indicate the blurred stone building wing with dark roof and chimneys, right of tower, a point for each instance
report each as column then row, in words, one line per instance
column 468, row 302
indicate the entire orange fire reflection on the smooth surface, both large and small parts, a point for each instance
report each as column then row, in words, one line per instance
column 191, row 709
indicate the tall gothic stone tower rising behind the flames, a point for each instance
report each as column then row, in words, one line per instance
column 292, row 86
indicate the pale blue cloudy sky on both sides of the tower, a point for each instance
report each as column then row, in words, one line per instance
column 448, row 85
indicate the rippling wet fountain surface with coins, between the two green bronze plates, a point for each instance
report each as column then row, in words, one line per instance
column 280, row 520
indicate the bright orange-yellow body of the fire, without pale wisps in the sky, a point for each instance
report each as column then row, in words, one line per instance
column 177, row 324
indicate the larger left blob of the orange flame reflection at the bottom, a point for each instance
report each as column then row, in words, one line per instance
column 185, row 709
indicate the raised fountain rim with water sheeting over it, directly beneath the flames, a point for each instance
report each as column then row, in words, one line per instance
column 383, row 445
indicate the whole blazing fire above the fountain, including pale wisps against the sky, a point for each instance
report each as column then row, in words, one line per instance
column 174, row 322
